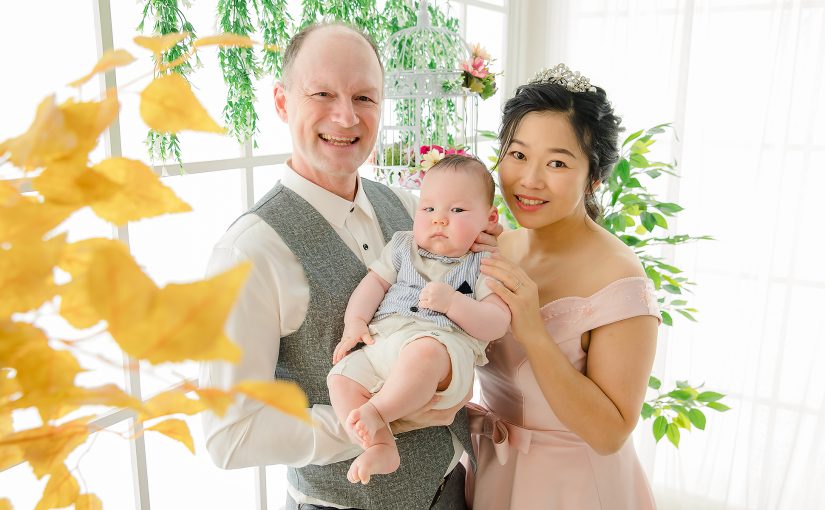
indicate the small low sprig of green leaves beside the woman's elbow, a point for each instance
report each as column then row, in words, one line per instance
column 680, row 408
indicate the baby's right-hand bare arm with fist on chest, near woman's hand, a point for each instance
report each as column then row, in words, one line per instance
column 484, row 320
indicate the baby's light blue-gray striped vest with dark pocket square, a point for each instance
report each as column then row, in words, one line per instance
column 402, row 297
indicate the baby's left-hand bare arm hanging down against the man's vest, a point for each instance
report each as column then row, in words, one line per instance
column 362, row 305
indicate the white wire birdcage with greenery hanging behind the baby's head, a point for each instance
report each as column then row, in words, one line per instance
column 424, row 101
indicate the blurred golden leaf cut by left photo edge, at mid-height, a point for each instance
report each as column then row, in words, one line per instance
column 26, row 274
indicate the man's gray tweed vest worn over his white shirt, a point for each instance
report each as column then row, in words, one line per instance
column 305, row 356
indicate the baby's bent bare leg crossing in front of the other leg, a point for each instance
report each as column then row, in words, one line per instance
column 422, row 368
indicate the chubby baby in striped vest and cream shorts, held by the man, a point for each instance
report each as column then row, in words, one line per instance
column 425, row 313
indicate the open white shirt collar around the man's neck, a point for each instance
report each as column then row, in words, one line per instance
column 332, row 208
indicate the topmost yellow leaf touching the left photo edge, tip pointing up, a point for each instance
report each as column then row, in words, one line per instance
column 47, row 138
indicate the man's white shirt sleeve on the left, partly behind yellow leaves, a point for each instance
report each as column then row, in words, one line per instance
column 250, row 433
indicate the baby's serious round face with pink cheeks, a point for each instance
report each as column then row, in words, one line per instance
column 451, row 213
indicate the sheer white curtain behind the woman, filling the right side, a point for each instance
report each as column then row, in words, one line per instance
column 743, row 82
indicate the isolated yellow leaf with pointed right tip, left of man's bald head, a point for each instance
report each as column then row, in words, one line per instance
column 168, row 105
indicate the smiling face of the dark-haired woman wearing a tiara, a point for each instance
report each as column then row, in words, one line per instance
column 543, row 175
